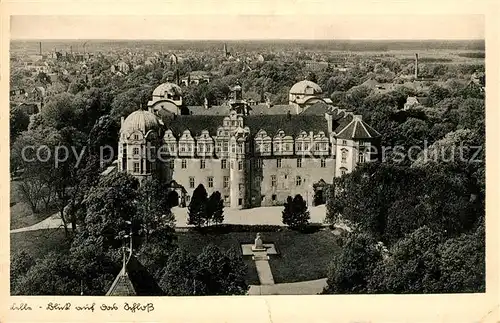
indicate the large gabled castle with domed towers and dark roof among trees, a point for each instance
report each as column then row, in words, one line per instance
column 252, row 158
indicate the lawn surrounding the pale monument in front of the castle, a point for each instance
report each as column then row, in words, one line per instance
column 303, row 256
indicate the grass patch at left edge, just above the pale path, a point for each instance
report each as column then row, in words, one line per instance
column 20, row 212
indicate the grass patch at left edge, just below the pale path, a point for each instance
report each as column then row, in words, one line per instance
column 38, row 243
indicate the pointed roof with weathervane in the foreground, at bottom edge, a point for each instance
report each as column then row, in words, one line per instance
column 134, row 280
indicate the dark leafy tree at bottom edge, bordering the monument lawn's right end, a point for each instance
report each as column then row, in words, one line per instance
column 352, row 267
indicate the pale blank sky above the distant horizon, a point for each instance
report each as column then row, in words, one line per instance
column 248, row 27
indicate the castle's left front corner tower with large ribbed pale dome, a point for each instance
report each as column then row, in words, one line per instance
column 140, row 138
